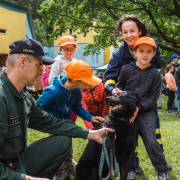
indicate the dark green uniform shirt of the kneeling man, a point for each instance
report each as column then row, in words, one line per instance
column 19, row 111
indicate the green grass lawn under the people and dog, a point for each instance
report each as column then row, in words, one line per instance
column 170, row 131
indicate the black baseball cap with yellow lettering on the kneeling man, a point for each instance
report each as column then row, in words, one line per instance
column 31, row 47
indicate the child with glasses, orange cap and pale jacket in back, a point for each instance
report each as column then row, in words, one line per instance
column 67, row 48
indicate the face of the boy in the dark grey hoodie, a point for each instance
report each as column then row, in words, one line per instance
column 144, row 54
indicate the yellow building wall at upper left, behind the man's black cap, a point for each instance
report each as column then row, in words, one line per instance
column 15, row 24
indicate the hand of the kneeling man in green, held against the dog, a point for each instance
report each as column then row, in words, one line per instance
column 98, row 135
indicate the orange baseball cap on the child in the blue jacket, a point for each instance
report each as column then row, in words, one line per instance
column 80, row 70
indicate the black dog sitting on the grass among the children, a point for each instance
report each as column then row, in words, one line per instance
column 123, row 108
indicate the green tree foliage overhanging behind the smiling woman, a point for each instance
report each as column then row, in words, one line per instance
column 161, row 16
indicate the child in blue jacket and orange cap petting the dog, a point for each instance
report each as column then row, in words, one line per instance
column 64, row 95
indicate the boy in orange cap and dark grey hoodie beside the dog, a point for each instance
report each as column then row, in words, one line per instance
column 143, row 80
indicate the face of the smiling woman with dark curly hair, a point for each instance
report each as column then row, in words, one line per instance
column 130, row 33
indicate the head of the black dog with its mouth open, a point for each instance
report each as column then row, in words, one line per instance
column 123, row 105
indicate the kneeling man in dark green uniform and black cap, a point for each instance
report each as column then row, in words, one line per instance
column 19, row 110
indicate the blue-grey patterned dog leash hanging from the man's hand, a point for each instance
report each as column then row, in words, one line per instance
column 111, row 163
